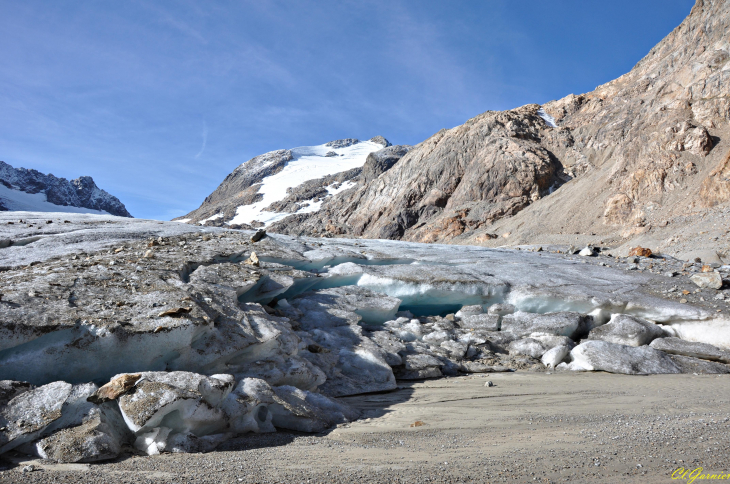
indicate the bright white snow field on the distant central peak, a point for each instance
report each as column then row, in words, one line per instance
column 308, row 163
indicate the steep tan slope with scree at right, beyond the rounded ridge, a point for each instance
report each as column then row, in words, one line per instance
column 651, row 149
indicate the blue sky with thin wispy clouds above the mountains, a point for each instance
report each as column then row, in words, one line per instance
column 159, row 101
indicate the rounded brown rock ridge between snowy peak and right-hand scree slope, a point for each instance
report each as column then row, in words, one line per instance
column 460, row 179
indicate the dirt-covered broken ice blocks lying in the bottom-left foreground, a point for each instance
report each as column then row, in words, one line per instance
column 163, row 411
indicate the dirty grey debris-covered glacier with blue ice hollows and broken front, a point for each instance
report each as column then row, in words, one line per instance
column 173, row 338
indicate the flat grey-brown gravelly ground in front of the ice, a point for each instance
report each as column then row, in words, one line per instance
column 528, row 427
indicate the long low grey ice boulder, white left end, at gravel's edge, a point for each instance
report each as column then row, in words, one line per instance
column 615, row 358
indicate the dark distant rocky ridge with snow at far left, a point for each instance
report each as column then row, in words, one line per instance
column 81, row 192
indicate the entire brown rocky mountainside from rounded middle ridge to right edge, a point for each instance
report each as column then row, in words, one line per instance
column 637, row 154
